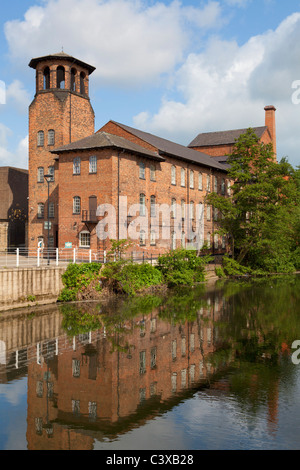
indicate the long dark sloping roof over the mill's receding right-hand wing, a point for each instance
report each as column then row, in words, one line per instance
column 172, row 149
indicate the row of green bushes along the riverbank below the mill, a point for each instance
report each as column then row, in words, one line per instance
column 177, row 268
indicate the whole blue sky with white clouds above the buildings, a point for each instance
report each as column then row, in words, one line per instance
column 168, row 67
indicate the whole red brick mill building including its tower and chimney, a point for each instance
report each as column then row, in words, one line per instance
column 120, row 167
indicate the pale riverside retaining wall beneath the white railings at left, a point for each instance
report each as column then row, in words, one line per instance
column 20, row 287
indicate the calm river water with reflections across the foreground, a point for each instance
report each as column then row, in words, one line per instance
column 203, row 368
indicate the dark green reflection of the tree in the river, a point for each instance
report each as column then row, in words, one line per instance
column 259, row 322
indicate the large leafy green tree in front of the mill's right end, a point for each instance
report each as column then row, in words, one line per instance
column 262, row 215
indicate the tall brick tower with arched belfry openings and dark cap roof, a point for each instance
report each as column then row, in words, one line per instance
column 59, row 114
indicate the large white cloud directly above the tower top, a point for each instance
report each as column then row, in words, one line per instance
column 128, row 41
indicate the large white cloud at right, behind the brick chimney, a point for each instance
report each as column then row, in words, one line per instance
column 227, row 86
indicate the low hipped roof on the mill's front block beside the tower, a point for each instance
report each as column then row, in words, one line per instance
column 105, row 140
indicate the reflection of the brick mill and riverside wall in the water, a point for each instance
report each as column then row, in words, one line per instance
column 98, row 385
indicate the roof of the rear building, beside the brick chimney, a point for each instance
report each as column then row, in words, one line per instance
column 223, row 137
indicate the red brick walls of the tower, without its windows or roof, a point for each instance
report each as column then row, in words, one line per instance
column 71, row 116
